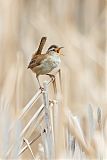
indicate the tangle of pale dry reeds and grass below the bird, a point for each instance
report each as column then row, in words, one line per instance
column 61, row 135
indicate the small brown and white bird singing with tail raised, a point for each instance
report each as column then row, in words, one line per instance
column 43, row 64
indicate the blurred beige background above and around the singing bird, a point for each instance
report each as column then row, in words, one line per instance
column 78, row 25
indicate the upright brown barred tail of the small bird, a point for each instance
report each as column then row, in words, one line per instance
column 40, row 48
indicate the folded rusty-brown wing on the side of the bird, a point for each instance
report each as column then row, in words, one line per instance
column 37, row 60
